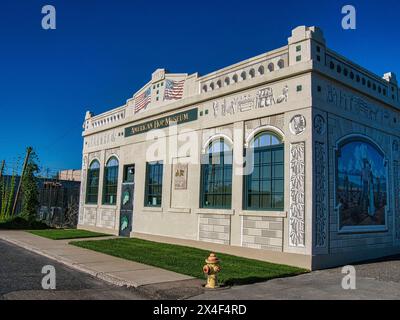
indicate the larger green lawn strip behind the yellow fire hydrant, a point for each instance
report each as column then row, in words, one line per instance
column 190, row 261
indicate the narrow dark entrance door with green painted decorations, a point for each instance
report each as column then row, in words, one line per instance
column 127, row 201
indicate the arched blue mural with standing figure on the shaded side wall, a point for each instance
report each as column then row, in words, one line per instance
column 361, row 185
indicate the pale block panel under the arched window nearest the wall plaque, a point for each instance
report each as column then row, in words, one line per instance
column 215, row 228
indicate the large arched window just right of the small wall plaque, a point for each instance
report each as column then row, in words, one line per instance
column 216, row 176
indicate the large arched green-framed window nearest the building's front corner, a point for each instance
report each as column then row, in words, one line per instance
column 264, row 185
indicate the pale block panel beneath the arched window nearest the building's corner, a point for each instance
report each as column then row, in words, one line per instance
column 262, row 233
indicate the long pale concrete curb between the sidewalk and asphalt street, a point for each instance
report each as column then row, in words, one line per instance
column 119, row 282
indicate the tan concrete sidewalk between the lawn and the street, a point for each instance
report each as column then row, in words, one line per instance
column 111, row 269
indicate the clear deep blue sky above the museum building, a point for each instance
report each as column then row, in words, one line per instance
column 103, row 51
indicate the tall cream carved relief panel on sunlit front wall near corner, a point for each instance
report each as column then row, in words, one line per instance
column 297, row 199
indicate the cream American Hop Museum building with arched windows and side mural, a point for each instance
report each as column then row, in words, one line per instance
column 291, row 156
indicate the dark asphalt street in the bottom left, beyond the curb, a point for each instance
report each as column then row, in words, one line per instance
column 21, row 278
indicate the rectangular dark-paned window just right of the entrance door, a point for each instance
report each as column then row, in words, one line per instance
column 154, row 180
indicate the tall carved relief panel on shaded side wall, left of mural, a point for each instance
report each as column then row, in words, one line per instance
column 321, row 204
